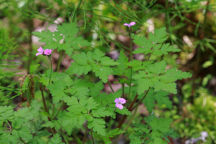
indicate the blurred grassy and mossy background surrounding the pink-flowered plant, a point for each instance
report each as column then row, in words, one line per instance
column 191, row 26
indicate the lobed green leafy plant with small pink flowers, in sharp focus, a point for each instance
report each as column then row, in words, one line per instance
column 72, row 106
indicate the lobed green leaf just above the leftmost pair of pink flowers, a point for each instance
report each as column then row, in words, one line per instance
column 64, row 38
